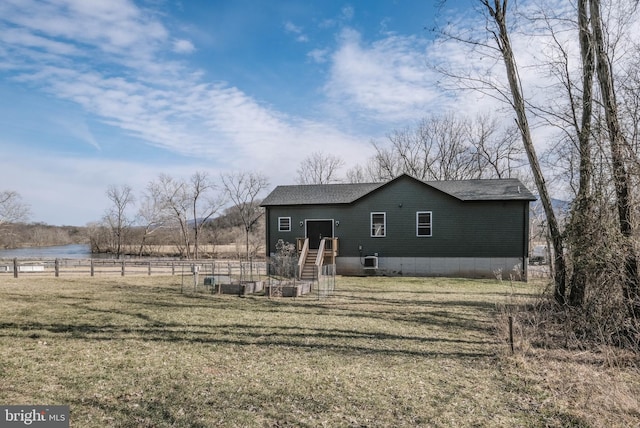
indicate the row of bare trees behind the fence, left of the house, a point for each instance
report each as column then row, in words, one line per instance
column 181, row 212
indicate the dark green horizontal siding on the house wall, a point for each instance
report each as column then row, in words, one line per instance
column 459, row 229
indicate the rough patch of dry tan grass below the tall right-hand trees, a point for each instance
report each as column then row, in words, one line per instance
column 590, row 387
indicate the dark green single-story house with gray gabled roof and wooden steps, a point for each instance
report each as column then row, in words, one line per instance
column 466, row 228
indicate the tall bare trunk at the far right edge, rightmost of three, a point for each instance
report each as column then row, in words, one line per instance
column 622, row 180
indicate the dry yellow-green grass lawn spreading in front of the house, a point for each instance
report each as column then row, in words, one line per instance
column 382, row 352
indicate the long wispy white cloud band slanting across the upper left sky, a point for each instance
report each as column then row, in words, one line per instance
column 161, row 102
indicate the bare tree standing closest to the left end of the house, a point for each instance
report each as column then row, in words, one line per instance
column 243, row 189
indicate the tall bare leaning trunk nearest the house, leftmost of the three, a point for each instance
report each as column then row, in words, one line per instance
column 498, row 14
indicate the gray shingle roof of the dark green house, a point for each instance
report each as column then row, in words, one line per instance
column 332, row 194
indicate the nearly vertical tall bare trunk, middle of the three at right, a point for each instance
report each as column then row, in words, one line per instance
column 582, row 222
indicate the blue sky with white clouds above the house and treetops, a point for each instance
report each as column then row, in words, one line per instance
column 109, row 92
